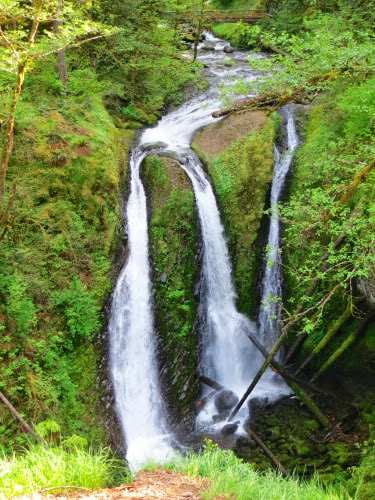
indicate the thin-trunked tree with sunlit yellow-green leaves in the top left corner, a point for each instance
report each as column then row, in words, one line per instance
column 25, row 37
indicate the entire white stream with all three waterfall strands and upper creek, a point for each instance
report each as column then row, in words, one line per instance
column 227, row 354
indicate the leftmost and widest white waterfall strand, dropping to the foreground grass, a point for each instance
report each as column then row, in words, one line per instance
column 132, row 346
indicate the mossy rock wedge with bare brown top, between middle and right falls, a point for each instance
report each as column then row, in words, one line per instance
column 238, row 153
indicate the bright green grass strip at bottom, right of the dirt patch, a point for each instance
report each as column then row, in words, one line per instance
column 230, row 477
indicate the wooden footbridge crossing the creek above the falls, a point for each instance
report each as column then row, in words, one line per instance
column 219, row 16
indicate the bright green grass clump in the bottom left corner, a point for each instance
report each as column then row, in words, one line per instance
column 52, row 467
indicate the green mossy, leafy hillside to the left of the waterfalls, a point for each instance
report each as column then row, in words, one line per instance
column 70, row 162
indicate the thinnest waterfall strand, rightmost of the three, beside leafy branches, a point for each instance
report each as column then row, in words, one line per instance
column 270, row 313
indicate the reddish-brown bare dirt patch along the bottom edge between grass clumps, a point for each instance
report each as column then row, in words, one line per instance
column 156, row 484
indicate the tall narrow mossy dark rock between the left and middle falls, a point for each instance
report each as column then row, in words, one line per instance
column 173, row 238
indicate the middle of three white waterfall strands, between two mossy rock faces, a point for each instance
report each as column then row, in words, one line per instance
column 228, row 356
